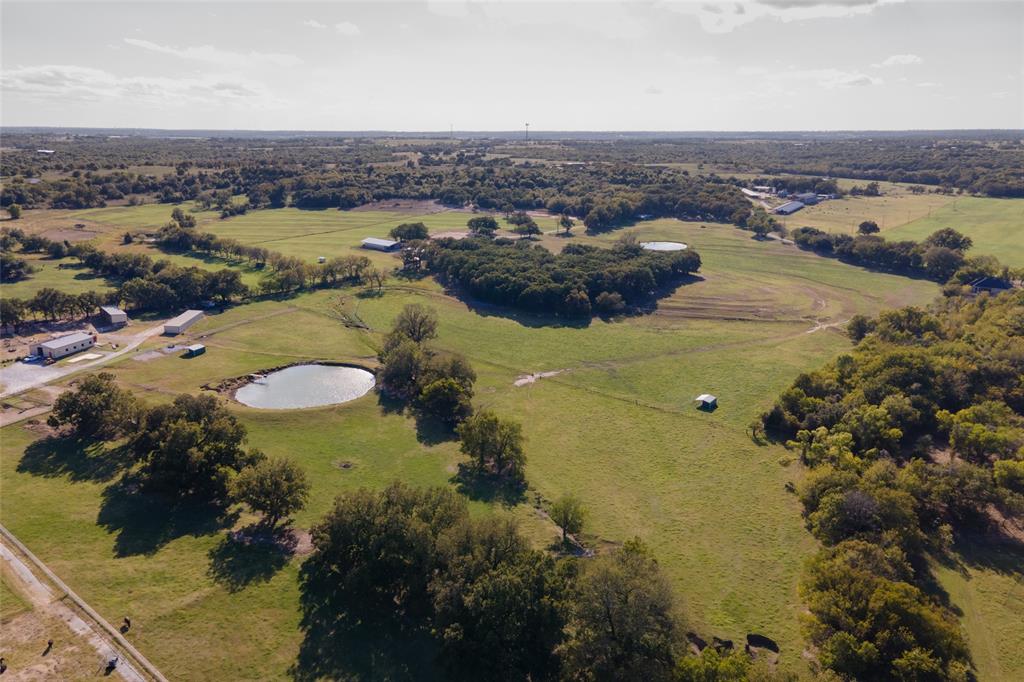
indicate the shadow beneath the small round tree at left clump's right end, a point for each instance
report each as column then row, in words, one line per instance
column 251, row 556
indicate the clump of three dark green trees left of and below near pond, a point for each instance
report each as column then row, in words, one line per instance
column 191, row 448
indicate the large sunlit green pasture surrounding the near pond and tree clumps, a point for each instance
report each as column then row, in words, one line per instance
column 617, row 428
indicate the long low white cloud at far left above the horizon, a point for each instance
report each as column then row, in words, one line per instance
column 71, row 82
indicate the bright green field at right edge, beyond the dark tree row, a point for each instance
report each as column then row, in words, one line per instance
column 997, row 226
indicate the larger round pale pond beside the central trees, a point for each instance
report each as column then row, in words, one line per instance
column 307, row 387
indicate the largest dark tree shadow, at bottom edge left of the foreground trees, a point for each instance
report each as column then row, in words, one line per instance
column 348, row 638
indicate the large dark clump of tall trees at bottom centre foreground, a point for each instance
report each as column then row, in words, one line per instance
column 496, row 609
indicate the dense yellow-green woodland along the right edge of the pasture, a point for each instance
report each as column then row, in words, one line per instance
column 870, row 425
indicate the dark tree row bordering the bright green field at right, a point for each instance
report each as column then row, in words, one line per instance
column 938, row 258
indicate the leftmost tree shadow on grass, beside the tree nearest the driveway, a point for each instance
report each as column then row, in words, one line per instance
column 77, row 459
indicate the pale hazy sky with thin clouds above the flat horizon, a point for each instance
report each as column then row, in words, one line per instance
column 774, row 65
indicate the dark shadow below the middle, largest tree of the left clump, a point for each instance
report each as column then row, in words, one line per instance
column 146, row 522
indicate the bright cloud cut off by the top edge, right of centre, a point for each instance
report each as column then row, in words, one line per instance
column 724, row 17
